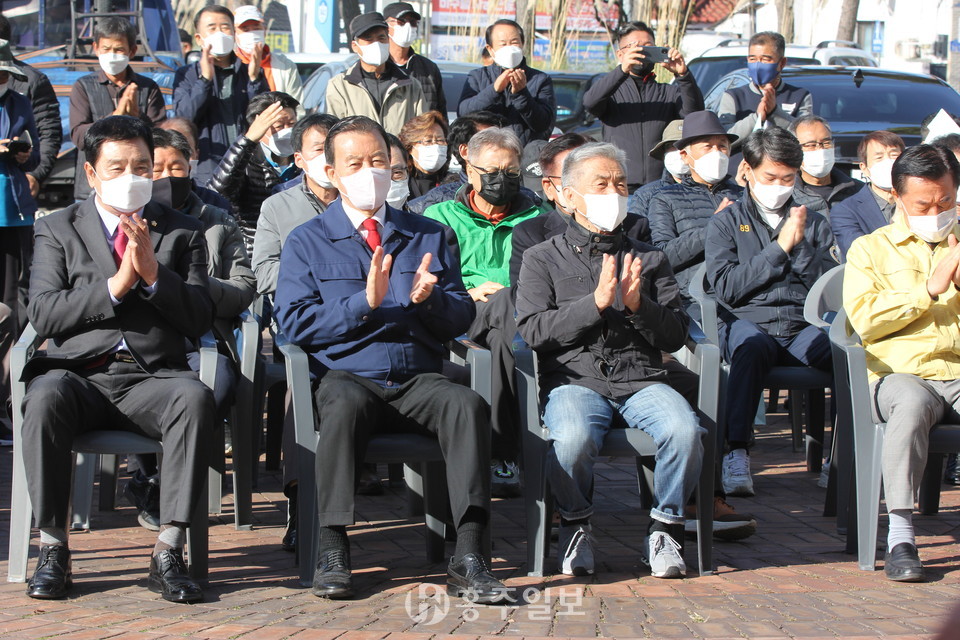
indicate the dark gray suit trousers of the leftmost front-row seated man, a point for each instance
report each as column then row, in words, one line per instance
column 61, row 404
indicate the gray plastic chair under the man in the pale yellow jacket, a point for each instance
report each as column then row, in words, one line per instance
column 868, row 443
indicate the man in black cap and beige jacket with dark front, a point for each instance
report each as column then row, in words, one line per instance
column 375, row 87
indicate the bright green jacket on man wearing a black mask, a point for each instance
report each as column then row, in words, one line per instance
column 484, row 248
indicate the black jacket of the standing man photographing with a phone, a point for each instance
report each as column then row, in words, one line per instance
column 634, row 118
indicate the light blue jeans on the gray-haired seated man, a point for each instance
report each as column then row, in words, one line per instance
column 578, row 420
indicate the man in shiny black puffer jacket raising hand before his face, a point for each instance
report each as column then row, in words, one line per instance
column 258, row 160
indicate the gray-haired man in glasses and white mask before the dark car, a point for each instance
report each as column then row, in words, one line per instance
column 821, row 184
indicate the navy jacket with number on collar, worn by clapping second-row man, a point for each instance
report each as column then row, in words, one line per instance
column 752, row 276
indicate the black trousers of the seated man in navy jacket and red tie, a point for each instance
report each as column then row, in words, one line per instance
column 351, row 409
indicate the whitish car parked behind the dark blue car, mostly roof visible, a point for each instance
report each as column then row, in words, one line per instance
column 731, row 55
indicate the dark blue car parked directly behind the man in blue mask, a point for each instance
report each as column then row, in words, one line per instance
column 856, row 101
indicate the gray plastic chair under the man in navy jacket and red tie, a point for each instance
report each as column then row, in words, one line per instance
column 427, row 483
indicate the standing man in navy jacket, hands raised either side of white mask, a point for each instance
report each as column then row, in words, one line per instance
column 214, row 92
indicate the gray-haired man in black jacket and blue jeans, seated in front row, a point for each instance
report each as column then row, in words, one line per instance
column 598, row 307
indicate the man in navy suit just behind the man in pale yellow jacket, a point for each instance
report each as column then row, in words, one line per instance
column 872, row 207
